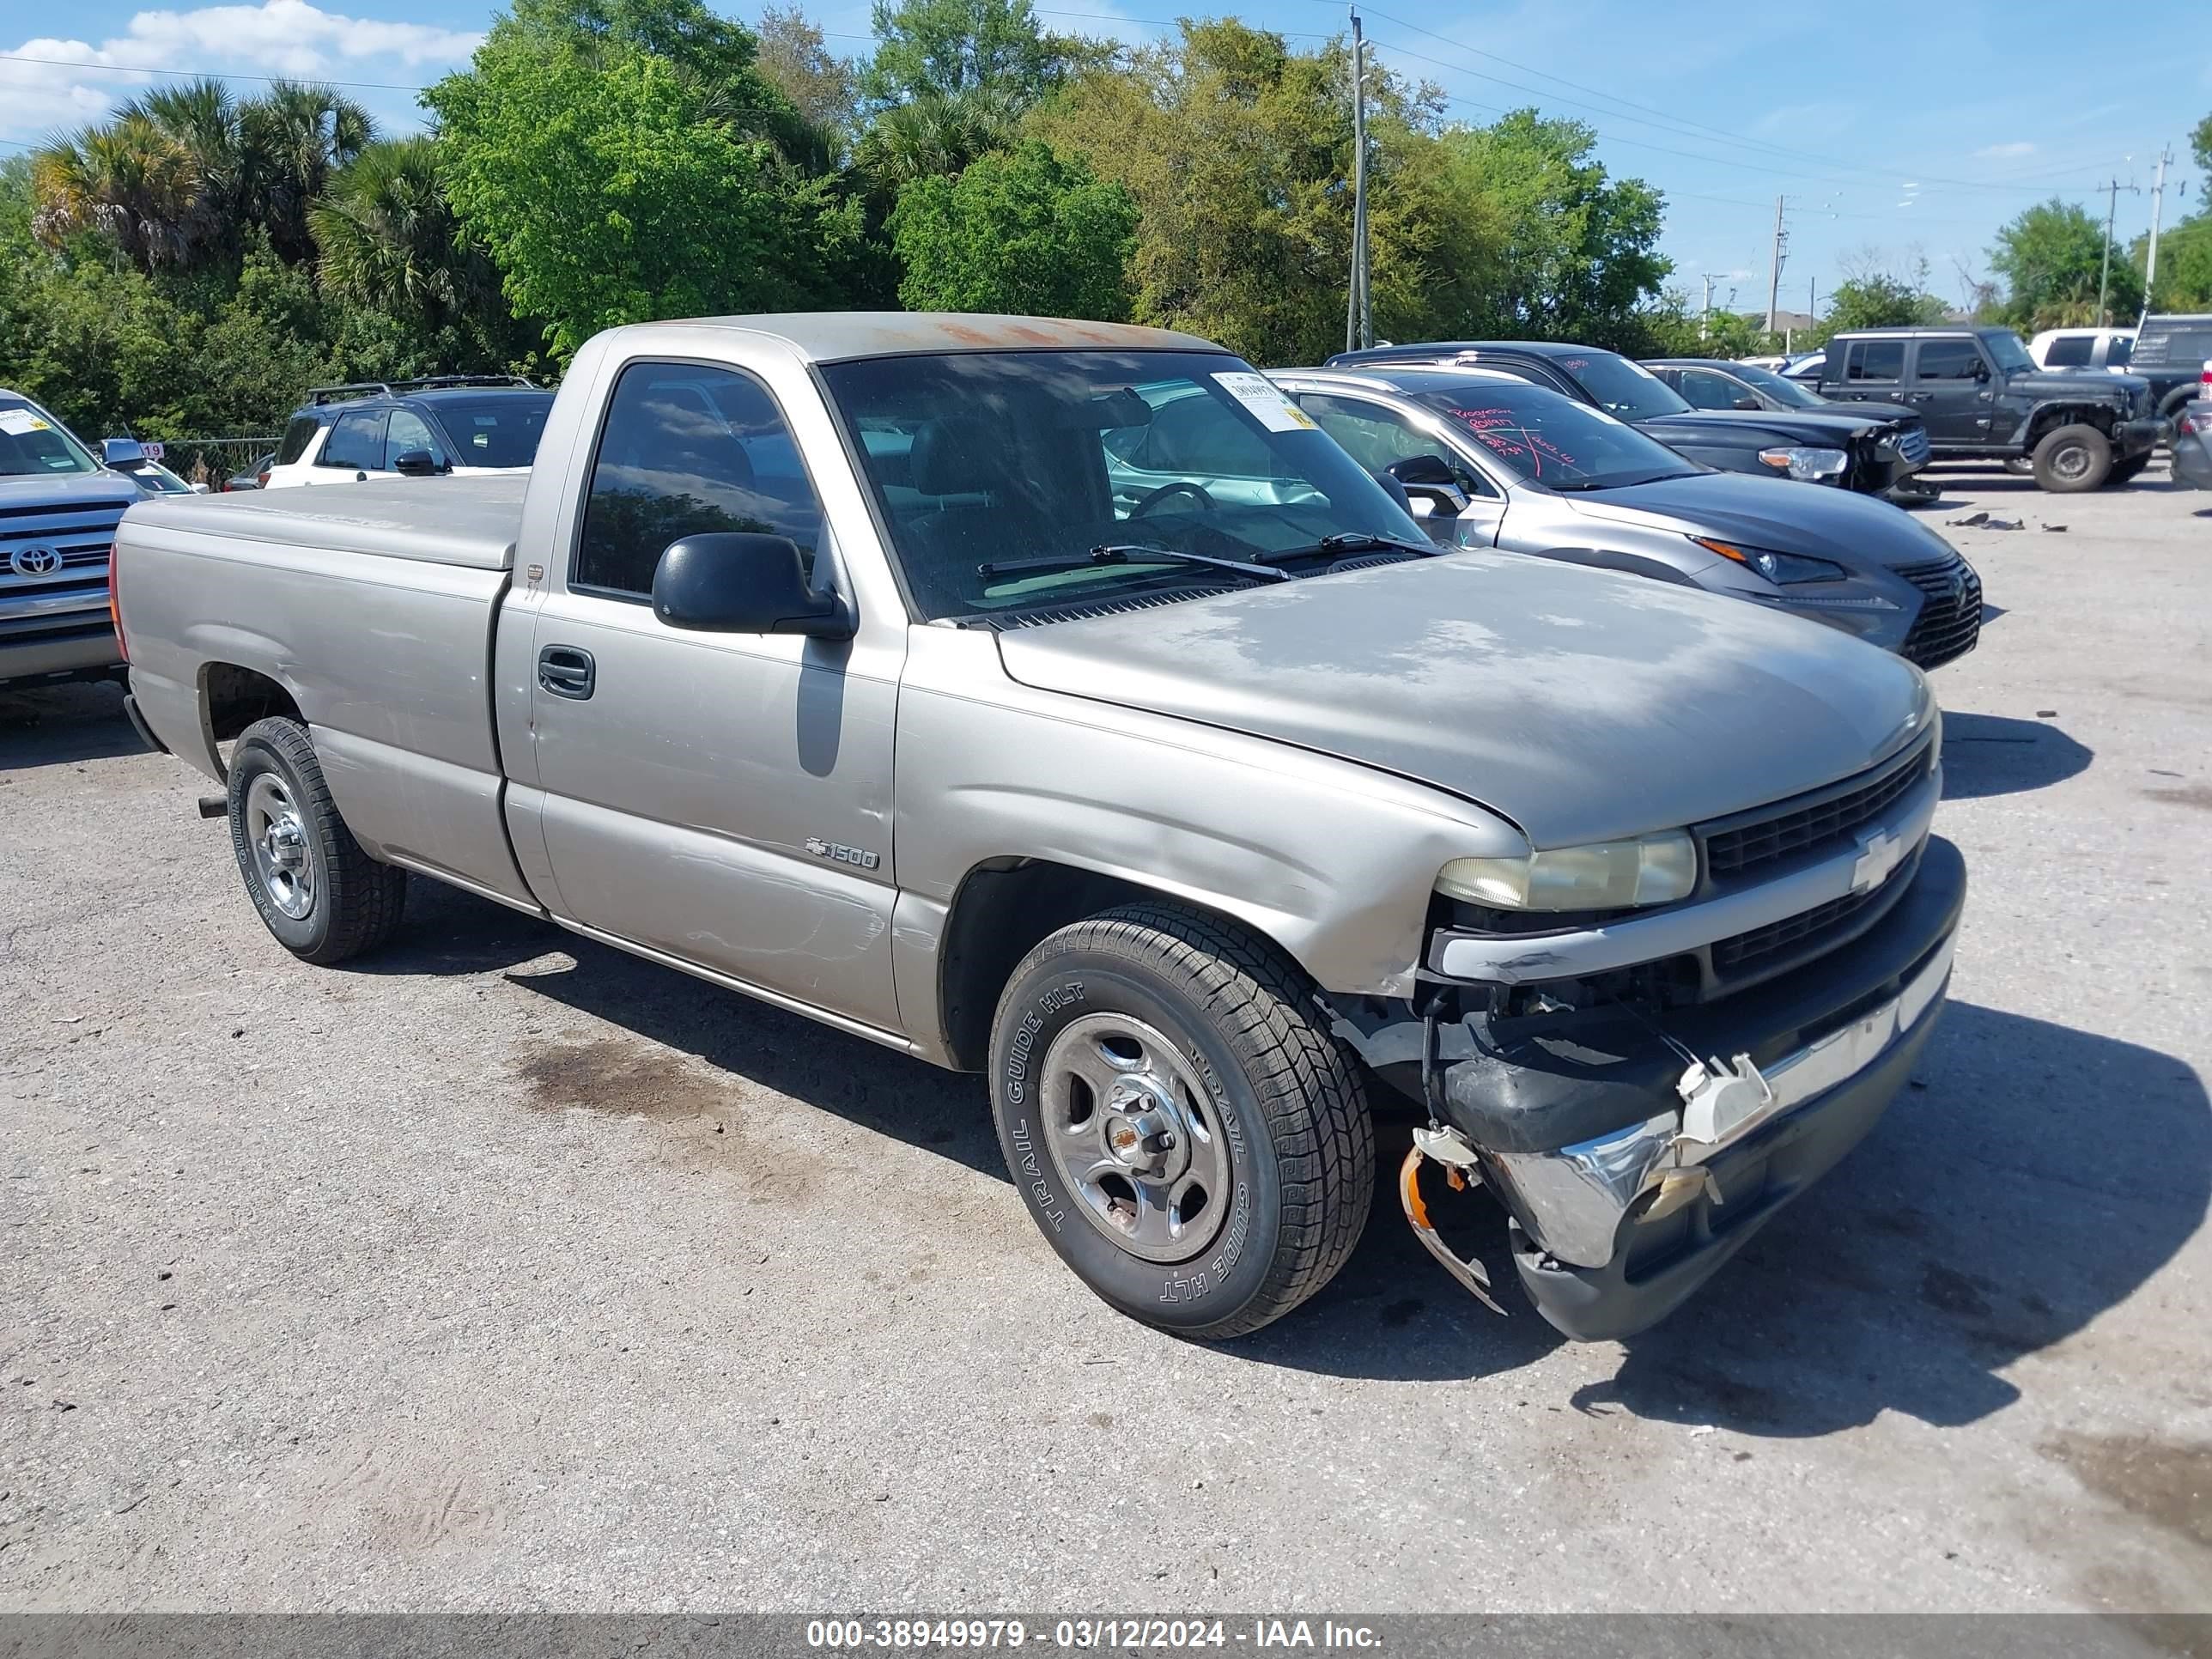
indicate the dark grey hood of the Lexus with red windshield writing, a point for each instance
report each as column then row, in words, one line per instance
column 1773, row 514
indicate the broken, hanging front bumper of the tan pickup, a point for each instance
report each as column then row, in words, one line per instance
column 1638, row 1154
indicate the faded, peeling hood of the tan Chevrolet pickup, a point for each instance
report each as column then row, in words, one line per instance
column 1578, row 705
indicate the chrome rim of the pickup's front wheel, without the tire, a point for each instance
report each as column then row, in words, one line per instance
column 1136, row 1138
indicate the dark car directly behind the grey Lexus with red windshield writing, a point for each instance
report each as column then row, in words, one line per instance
column 1817, row 446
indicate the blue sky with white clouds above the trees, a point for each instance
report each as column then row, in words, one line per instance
column 1886, row 145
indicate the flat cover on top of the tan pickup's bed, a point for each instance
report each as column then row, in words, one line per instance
column 437, row 521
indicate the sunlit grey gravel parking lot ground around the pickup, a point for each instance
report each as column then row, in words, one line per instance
column 508, row 1271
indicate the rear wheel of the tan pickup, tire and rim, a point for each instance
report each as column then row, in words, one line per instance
column 315, row 888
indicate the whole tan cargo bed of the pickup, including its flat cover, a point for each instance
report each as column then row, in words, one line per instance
column 244, row 605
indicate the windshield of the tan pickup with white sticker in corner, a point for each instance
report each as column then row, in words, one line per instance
column 988, row 461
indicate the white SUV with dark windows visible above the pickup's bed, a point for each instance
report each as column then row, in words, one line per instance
column 415, row 428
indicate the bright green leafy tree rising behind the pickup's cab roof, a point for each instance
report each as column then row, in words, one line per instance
column 614, row 185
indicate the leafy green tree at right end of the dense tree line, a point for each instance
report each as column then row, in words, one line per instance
column 1580, row 251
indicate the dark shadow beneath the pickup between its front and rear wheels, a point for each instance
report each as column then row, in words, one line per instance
column 452, row 932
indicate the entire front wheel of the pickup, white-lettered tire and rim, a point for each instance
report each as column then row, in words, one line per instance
column 1182, row 1127
